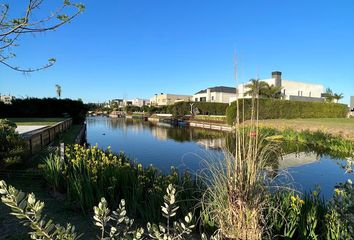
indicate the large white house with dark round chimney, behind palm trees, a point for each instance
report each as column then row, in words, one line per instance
column 291, row 90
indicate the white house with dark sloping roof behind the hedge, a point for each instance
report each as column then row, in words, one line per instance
column 219, row 94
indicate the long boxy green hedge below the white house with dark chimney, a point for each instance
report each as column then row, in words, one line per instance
column 284, row 109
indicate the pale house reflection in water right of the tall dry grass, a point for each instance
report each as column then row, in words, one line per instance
column 298, row 159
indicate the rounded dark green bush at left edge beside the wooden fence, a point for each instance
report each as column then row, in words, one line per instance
column 12, row 146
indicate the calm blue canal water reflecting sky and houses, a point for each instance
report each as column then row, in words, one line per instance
column 164, row 146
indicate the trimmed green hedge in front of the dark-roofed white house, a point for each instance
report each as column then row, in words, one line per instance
column 204, row 108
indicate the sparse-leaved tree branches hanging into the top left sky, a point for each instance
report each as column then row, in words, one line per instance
column 13, row 28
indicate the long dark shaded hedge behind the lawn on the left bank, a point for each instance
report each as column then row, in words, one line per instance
column 45, row 107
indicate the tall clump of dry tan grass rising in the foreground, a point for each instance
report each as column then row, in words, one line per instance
column 237, row 187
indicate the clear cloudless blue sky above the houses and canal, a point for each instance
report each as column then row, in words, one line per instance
column 131, row 48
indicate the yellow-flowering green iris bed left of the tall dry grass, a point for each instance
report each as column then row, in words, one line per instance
column 87, row 174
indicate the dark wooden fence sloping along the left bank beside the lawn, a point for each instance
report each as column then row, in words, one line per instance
column 40, row 138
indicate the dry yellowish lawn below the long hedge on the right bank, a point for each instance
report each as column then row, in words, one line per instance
column 337, row 126
